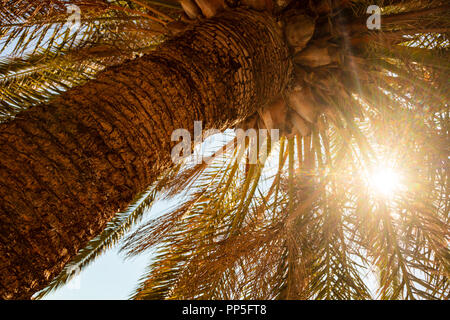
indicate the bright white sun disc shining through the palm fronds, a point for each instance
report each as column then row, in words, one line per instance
column 385, row 180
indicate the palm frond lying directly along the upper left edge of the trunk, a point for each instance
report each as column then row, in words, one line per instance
column 38, row 77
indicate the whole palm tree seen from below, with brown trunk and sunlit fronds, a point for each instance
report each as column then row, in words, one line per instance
column 87, row 117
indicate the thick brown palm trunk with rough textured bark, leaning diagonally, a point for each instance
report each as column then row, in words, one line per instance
column 67, row 167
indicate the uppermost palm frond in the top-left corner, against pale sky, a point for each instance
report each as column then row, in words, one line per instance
column 49, row 28
